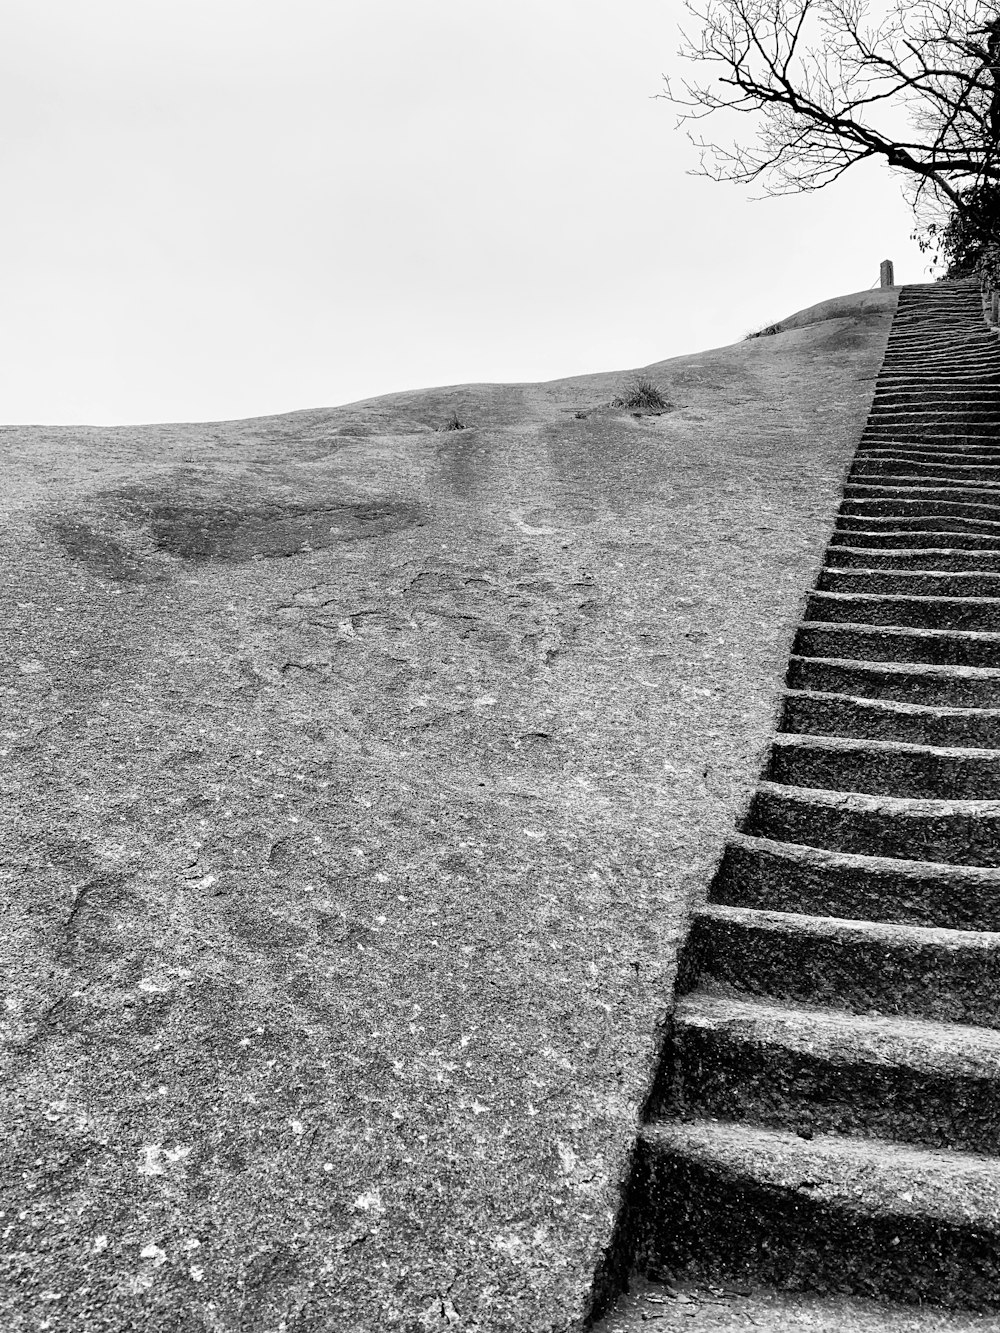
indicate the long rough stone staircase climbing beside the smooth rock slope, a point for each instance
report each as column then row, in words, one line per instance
column 827, row 1115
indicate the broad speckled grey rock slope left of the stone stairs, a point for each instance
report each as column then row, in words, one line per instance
column 361, row 776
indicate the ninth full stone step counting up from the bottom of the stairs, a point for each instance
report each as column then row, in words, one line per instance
column 899, row 645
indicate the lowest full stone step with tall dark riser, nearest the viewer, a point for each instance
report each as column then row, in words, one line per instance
column 727, row 1202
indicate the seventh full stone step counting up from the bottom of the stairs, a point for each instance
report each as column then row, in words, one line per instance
column 815, row 714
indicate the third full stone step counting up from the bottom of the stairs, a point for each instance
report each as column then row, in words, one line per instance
column 866, row 967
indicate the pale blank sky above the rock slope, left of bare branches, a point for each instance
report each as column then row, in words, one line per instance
column 222, row 209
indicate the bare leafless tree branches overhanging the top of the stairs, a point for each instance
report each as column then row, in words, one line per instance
column 831, row 86
